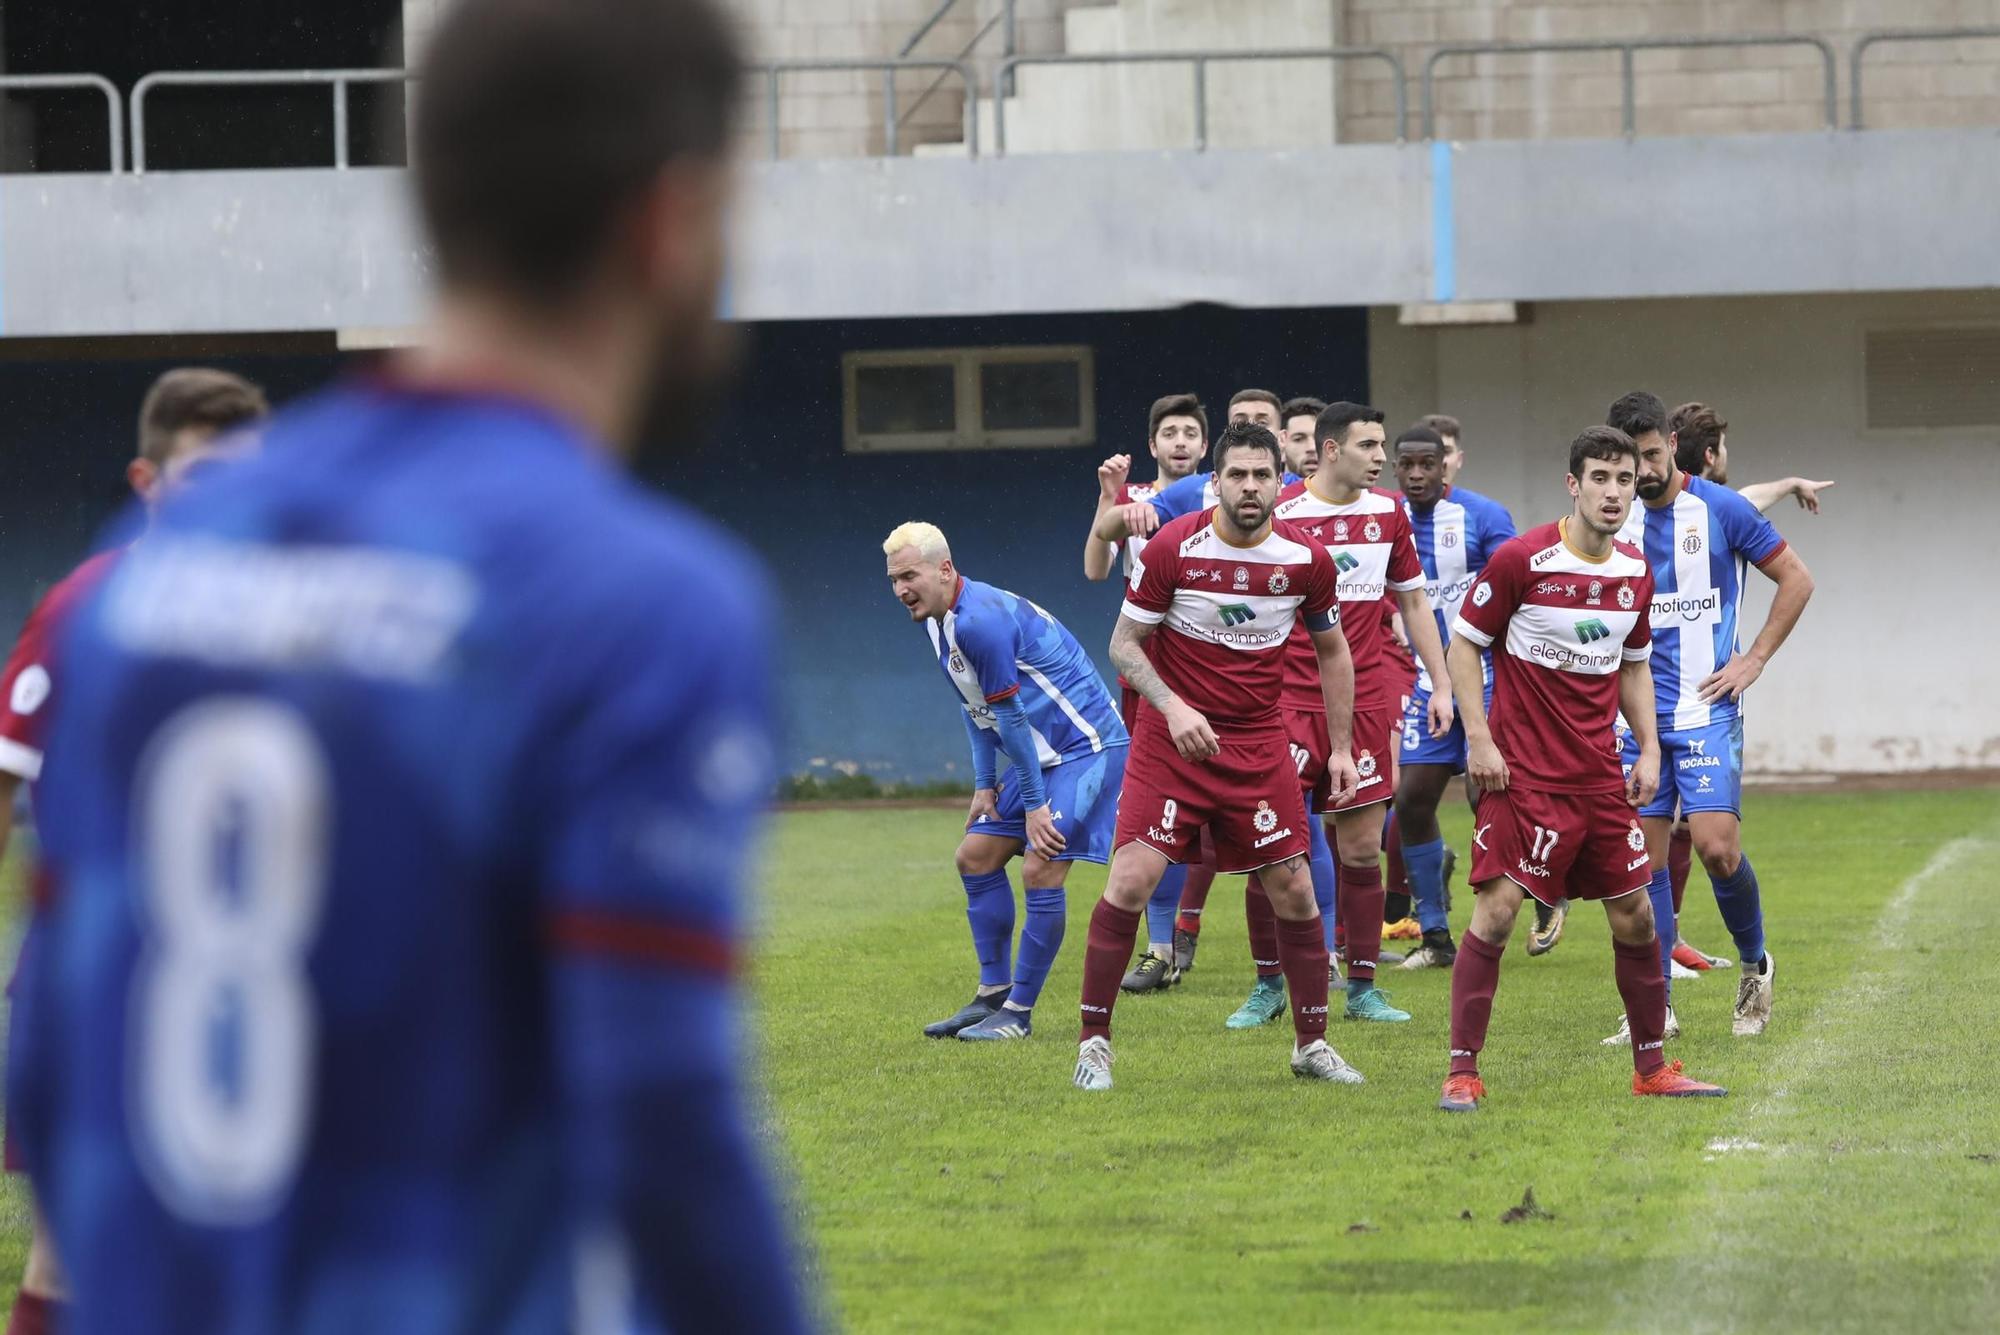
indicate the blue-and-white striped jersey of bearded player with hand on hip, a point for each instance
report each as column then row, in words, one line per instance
column 1697, row 547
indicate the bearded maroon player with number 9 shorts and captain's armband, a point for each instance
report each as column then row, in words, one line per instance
column 1211, row 750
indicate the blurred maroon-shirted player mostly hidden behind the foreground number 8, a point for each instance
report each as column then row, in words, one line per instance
column 181, row 427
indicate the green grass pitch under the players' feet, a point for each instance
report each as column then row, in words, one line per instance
column 955, row 1188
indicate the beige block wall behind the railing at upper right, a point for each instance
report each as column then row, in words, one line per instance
column 1677, row 93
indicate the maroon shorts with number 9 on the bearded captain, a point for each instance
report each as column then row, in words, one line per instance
column 1247, row 796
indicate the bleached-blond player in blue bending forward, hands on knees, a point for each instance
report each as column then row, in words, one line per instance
column 1029, row 692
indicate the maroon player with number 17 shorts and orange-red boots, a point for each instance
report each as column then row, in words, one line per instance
column 1565, row 611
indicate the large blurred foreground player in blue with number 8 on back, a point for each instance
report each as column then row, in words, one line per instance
column 403, row 782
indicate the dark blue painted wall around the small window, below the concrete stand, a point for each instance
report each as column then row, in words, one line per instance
column 861, row 688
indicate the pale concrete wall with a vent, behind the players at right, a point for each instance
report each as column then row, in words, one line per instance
column 1889, row 668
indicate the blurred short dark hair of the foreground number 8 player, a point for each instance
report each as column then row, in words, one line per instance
column 539, row 123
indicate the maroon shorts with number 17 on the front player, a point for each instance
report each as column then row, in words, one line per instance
column 1561, row 846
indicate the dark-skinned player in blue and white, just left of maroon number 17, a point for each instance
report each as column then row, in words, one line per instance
column 1457, row 533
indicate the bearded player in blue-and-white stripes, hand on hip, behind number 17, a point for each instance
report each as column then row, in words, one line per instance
column 1697, row 539
